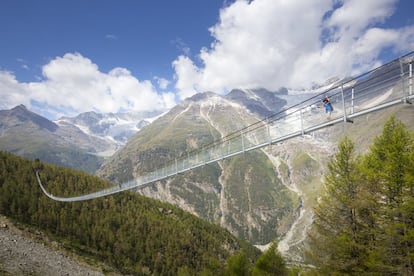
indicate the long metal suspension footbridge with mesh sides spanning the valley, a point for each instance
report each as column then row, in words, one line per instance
column 383, row 87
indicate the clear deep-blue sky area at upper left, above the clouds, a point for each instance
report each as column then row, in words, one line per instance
column 144, row 36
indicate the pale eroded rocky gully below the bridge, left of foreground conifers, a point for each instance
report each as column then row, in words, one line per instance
column 301, row 164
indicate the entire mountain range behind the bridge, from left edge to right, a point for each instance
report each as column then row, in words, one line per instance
column 257, row 196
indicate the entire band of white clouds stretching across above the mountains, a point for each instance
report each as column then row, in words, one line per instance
column 259, row 43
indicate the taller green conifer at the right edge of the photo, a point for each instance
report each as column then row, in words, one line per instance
column 389, row 168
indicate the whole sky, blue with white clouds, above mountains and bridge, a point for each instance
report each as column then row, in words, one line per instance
column 60, row 58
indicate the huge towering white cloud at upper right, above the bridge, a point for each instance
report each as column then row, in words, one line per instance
column 275, row 43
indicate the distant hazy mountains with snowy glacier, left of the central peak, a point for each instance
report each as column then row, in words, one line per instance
column 81, row 142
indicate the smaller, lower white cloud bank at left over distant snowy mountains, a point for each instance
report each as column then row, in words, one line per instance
column 72, row 84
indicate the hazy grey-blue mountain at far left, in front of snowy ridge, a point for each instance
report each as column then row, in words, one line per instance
column 30, row 135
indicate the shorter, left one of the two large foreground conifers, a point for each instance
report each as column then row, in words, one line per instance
column 337, row 239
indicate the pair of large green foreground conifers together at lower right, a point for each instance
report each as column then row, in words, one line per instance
column 364, row 223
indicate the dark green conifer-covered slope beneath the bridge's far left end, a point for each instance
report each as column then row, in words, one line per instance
column 132, row 233
